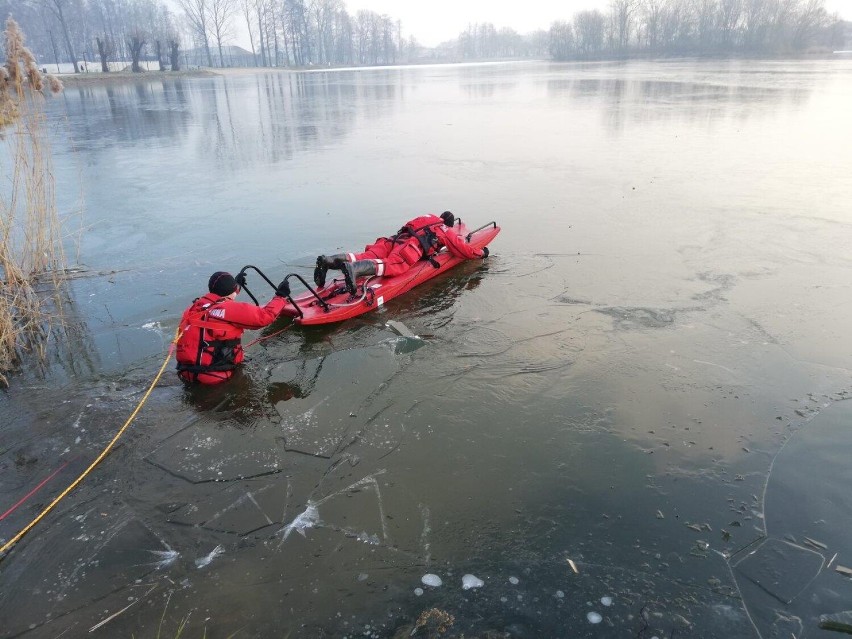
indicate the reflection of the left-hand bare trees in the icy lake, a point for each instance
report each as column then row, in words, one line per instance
column 238, row 120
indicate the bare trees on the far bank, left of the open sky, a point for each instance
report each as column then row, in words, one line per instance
column 281, row 32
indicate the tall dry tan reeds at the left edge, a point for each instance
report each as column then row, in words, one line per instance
column 32, row 260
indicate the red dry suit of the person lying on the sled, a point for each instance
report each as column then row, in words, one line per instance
column 418, row 239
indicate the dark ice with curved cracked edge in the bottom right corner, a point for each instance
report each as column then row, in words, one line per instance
column 807, row 495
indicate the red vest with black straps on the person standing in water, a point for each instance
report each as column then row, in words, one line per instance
column 206, row 345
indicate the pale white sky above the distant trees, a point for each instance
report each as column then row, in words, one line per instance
column 434, row 21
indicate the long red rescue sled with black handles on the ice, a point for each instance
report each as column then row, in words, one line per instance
column 333, row 303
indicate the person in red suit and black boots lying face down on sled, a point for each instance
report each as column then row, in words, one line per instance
column 418, row 239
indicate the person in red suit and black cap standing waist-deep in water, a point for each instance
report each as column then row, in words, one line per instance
column 209, row 348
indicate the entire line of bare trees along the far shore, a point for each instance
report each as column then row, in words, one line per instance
column 322, row 32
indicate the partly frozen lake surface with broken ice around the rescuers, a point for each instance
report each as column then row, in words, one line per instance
column 630, row 420
